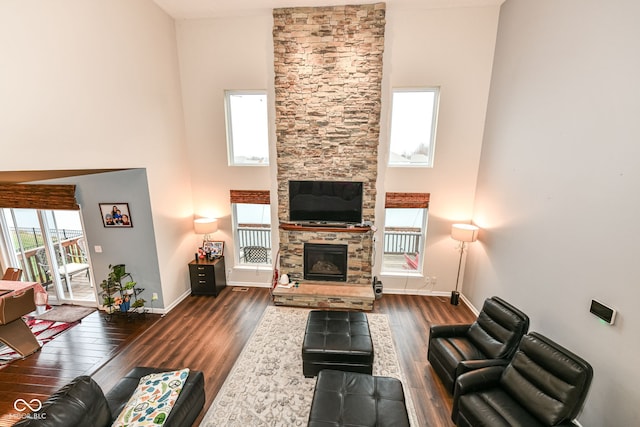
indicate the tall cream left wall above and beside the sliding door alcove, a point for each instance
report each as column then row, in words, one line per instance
column 95, row 85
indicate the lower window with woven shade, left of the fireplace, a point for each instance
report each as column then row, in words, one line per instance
column 252, row 227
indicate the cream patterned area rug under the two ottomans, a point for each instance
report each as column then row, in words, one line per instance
column 266, row 387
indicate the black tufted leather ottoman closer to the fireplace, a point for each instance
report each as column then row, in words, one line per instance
column 337, row 340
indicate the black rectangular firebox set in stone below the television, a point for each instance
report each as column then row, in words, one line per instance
column 325, row 262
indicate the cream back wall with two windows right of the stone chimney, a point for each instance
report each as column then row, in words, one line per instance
column 451, row 48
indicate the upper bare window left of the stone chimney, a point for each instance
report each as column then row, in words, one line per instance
column 247, row 128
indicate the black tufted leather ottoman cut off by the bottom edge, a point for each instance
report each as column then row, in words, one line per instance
column 349, row 399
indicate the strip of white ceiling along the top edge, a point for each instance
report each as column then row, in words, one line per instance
column 194, row 9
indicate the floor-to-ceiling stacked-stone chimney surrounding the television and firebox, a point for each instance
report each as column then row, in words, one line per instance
column 328, row 76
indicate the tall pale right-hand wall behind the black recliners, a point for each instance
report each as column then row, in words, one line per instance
column 558, row 190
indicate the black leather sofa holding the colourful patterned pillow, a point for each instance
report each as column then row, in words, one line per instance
column 82, row 402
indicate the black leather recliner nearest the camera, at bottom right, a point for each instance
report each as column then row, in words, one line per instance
column 544, row 385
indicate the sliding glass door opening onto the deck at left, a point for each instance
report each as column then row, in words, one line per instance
column 50, row 247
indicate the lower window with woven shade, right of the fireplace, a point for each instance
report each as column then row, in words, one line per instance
column 405, row 228
